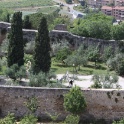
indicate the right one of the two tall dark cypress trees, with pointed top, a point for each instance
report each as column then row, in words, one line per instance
column 42, row 59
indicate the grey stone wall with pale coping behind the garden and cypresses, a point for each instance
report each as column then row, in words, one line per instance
column 61, row 34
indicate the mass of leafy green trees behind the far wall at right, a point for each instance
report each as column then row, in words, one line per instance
column 98, row 26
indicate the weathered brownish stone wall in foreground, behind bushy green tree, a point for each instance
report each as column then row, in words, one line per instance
column 101, row 104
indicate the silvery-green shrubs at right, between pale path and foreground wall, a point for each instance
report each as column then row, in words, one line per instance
column 105, row 81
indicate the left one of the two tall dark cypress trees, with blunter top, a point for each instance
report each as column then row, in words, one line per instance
column 16, row 47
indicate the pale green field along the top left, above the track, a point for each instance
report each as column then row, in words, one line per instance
column 24, row 3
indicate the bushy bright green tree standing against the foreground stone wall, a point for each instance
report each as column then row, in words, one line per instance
column 74, row 101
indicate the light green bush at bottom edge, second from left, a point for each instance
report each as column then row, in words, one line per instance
column 29, row 119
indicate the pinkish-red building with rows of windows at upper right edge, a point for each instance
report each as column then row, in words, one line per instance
column 117, row 11
